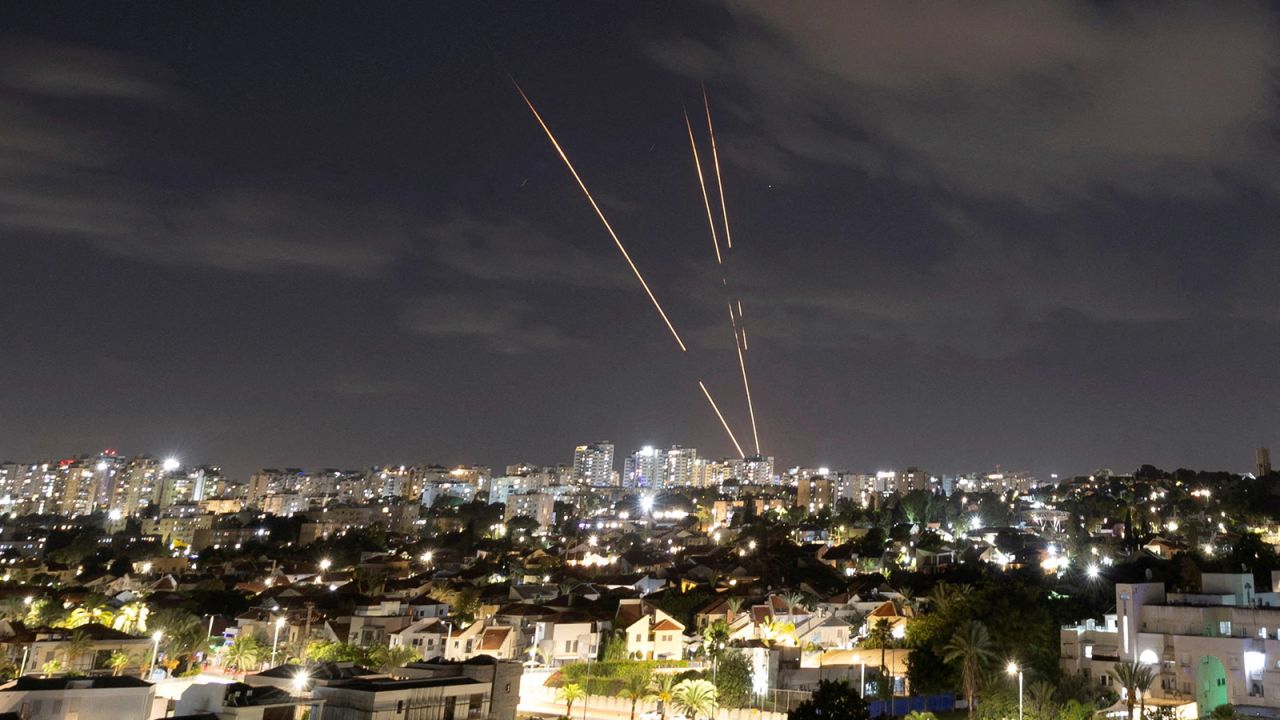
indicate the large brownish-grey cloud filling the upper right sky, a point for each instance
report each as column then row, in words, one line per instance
column 1041, row 103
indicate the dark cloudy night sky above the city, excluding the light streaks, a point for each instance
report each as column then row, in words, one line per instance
column 1034, row 235
